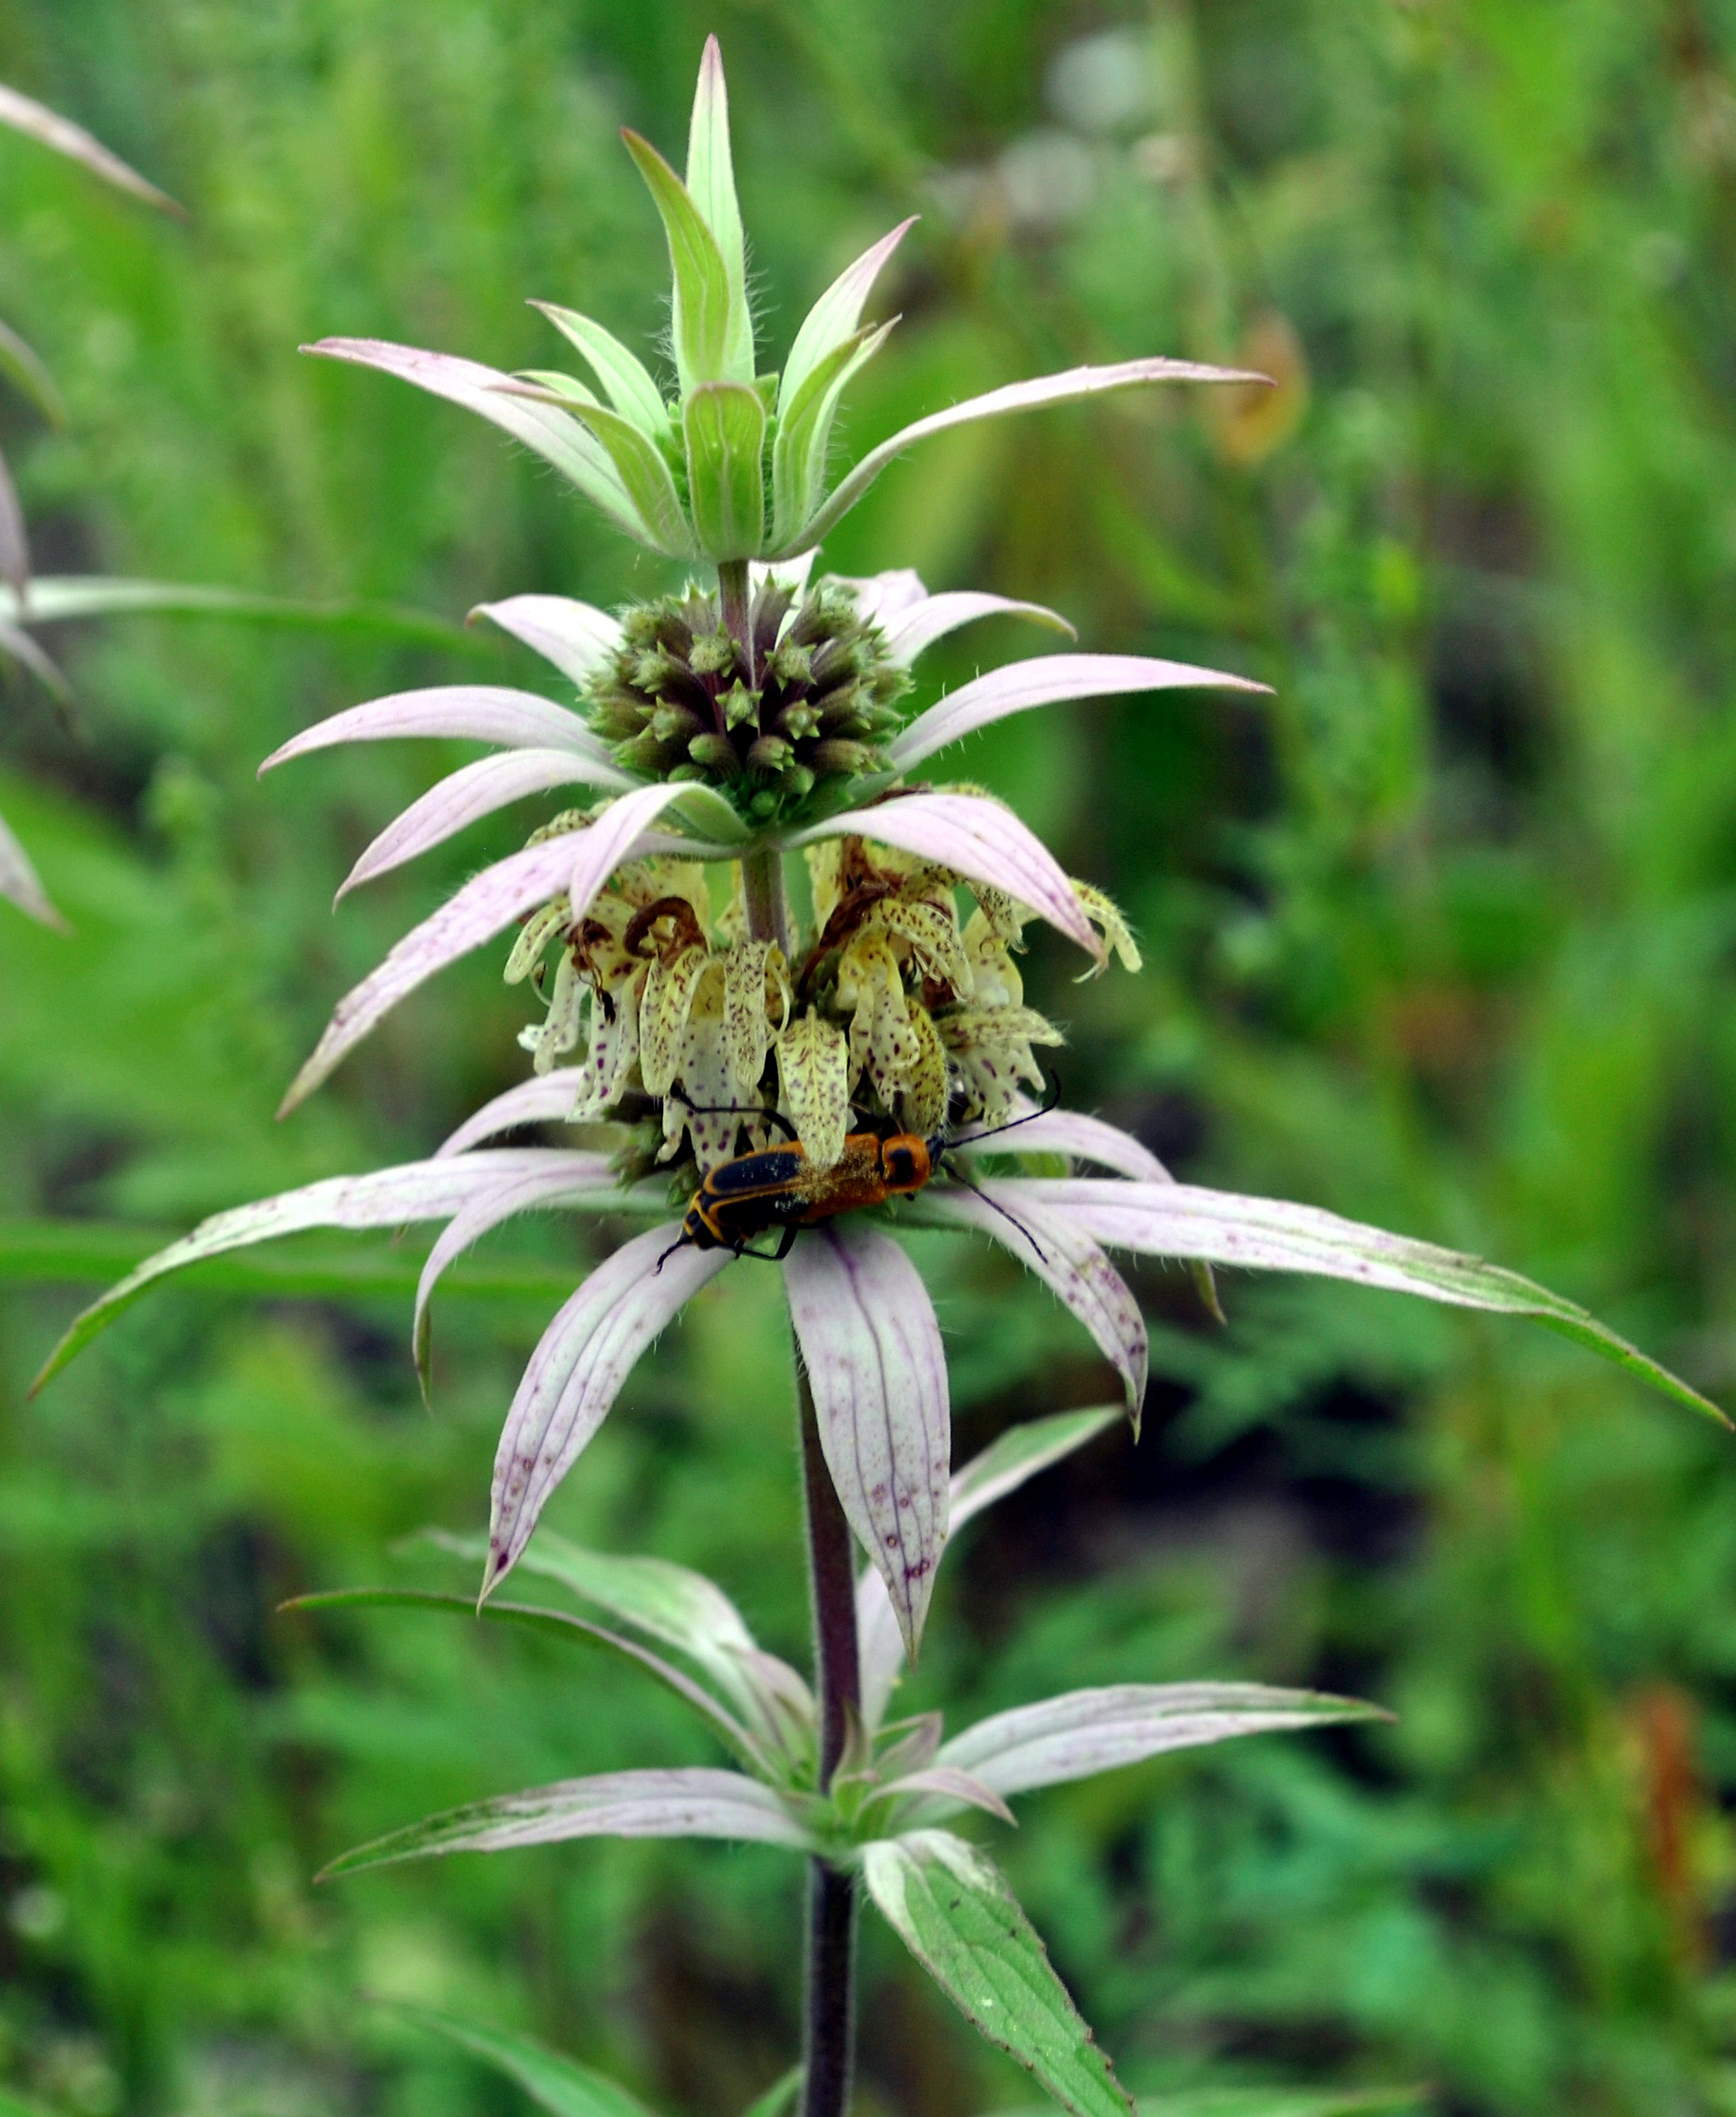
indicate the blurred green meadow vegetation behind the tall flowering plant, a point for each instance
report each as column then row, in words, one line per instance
column 1441, row 937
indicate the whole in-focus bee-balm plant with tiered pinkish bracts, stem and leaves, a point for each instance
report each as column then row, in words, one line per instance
column 784, row 975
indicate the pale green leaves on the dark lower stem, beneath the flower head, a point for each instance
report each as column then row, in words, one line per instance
column 943, row 1898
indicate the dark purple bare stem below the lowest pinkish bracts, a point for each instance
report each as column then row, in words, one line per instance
column 829, row 1972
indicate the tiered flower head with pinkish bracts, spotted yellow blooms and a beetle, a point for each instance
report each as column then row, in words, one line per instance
column 812, row 1079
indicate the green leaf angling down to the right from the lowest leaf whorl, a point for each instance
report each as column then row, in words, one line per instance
column 956, row 1915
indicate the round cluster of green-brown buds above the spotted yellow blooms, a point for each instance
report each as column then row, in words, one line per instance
column 810, row 698
